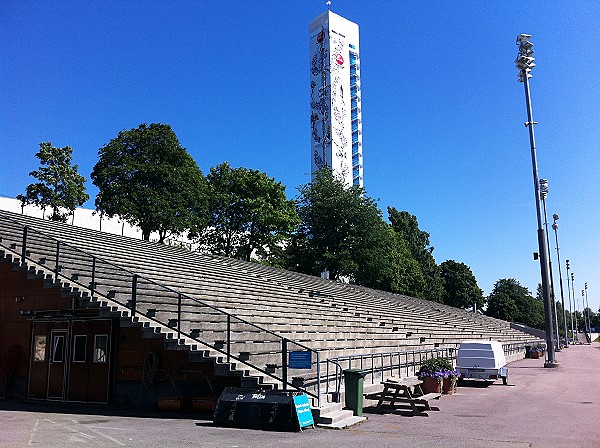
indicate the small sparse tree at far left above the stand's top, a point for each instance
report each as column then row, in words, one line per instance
column 60, row 186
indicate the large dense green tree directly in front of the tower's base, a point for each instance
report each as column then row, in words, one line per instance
column 342, row 232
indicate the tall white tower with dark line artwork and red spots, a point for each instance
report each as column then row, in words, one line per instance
column 335, row 119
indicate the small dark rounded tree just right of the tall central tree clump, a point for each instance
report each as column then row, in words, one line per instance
column 460, row 286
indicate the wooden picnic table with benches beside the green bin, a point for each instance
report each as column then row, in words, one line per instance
column 405, row 390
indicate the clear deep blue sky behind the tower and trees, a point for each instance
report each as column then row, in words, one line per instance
column 443, row 113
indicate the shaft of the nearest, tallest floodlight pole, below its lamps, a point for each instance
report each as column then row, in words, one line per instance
column 540, row 232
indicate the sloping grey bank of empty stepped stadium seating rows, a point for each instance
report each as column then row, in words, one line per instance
column 329, row 316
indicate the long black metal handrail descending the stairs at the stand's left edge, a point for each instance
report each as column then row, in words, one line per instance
column 26, row 233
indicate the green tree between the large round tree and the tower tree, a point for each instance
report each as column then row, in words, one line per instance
column 248, row 213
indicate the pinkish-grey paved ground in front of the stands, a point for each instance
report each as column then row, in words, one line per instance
column 540, row 408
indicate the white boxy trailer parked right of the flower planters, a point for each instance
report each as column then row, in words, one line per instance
column 482, row 360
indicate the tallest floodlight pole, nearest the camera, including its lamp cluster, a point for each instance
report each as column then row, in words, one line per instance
column 525, row 63
